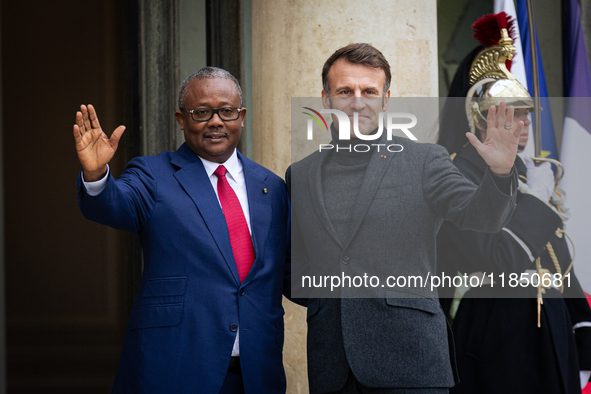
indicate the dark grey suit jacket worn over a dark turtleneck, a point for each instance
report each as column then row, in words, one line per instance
column 399, row 337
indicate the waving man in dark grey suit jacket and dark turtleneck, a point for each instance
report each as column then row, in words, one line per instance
column 379, row 213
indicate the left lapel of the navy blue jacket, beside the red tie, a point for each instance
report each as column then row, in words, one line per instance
column 194, row 180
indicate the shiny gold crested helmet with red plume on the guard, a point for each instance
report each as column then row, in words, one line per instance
column 489, row 73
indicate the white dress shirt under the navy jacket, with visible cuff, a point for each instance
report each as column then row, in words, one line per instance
column 235, row 177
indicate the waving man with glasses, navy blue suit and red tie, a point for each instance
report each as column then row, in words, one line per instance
column 214, row 228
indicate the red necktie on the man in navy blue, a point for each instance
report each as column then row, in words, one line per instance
column 237, row 227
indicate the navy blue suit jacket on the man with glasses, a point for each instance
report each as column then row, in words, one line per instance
column 190, row 302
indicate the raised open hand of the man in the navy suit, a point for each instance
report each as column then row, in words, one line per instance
column 95, row 150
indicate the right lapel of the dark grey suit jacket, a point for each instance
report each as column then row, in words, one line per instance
column 376, row 169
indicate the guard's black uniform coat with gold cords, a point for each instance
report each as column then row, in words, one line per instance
column 499, row 345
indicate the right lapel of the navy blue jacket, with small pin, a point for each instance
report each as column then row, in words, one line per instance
column 260, row 209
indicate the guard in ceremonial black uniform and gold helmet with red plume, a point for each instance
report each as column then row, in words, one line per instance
column 510, row 339
